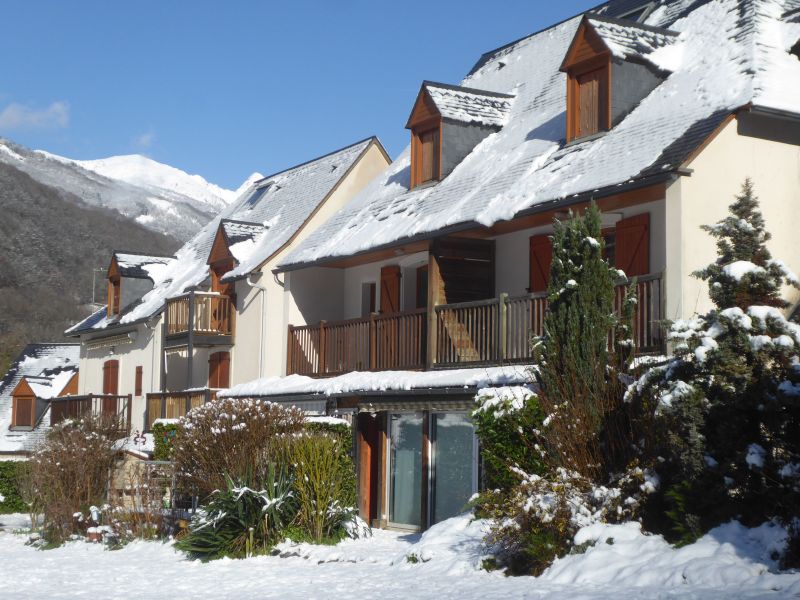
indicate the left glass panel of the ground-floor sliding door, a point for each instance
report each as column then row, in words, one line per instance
column 405, row 469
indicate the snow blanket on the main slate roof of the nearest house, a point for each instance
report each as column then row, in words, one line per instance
column 728, row 55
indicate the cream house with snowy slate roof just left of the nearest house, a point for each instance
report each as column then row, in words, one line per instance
column 176, row 329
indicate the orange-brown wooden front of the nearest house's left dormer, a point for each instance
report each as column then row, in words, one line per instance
column 425, row 124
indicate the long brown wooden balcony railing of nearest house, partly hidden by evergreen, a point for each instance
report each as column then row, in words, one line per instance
column 486, row 332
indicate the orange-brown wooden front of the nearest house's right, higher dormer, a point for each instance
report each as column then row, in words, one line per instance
column 588, row 68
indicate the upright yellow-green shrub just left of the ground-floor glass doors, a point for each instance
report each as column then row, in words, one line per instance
column 324, row 484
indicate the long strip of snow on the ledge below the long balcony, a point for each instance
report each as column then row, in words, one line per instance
column 381, row 381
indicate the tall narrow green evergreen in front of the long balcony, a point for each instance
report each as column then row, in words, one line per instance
column 580, row 390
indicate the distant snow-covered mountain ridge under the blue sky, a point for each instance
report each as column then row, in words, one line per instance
column 158, row 196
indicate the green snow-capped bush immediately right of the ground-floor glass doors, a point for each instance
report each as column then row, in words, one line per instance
column 507, row 422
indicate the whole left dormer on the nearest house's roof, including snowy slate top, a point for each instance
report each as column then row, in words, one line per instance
column 447, row 122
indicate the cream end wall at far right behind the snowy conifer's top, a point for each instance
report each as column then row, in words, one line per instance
column 746, row 147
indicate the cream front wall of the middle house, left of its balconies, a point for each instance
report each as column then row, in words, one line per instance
column 144, row 351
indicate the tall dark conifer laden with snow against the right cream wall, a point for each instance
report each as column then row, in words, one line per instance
column 728, row 401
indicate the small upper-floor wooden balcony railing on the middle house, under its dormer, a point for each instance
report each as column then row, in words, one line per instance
column 209, row 314
